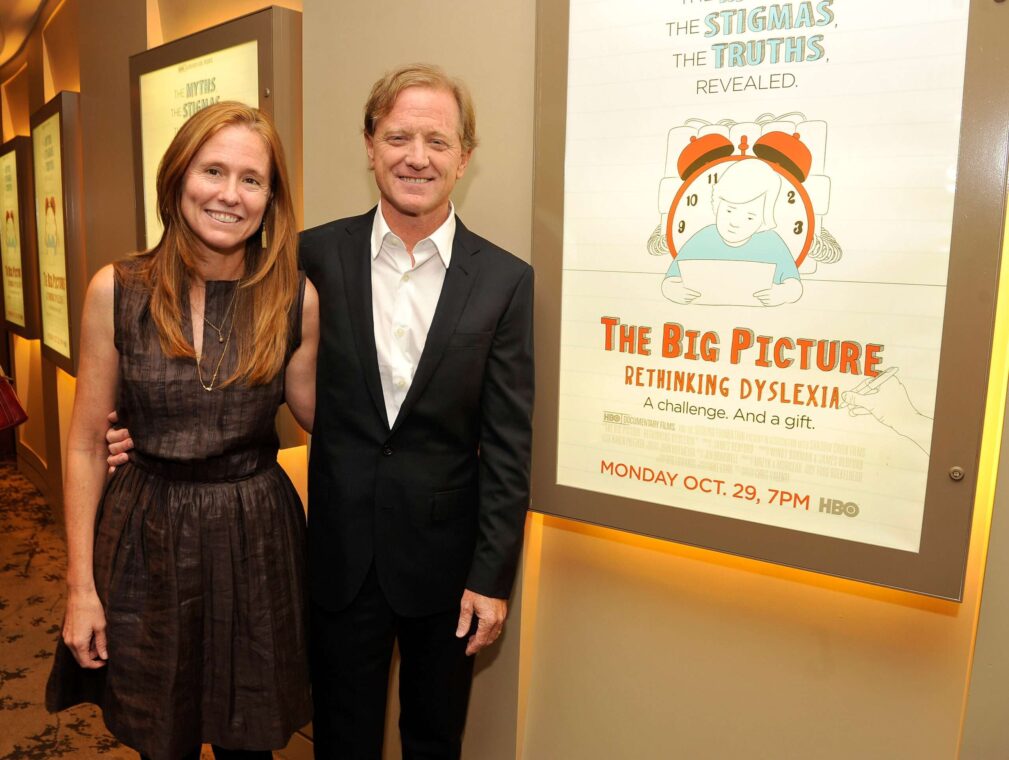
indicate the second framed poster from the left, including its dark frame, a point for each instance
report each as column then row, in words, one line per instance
column 57, row 168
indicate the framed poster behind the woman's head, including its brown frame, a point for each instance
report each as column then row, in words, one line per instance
column 255, row 60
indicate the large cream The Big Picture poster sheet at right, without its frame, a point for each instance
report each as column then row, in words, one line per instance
column 757, row 221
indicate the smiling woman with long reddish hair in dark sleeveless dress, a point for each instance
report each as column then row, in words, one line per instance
column 185, row 615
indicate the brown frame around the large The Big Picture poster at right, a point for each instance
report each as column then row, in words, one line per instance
column 939, row 569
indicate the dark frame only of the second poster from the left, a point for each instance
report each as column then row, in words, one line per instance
column 68, row 106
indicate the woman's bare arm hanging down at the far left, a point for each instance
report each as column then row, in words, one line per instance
column 97, row 382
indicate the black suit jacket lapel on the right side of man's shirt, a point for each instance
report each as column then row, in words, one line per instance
column 460, row 279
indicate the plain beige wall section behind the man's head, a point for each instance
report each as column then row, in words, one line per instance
column 349, row 46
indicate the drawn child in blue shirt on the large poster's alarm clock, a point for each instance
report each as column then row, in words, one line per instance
column 744, row 231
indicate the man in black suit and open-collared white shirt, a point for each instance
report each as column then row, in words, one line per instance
column 419, row 474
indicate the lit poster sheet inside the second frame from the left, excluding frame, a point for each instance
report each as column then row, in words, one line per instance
column 52, row 236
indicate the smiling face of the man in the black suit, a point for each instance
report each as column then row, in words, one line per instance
column 417, row 156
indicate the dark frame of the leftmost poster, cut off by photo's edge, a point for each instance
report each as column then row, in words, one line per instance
column 22, row 148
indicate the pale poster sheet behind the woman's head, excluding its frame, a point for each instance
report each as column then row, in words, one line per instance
column 170, row 96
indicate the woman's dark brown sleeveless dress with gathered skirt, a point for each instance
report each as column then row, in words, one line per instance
column 199, row 555
